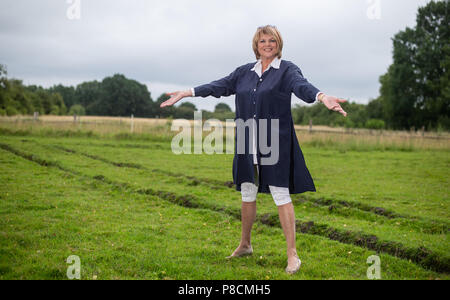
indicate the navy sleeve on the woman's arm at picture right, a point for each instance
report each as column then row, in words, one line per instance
column 300, row 86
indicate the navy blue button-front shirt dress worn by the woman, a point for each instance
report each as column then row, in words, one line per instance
column 268, row 97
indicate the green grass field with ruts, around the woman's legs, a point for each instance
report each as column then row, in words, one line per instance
column 131, row 209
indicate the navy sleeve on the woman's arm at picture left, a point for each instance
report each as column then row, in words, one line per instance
column 222, row 87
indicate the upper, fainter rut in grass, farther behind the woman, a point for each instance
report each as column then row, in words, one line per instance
column 339, row 207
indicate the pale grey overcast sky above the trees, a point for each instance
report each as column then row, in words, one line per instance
column 342, row 46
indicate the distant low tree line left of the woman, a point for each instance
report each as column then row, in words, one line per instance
column 113, row 96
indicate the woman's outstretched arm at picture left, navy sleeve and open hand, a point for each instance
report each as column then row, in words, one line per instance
column 222, row 87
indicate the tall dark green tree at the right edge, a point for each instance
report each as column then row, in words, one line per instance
column 414, row 91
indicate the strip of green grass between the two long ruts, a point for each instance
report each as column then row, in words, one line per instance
column 389, row 230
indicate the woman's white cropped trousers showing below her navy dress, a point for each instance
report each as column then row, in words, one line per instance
column 249, row 191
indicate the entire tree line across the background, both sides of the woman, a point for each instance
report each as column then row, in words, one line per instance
column 414, row 93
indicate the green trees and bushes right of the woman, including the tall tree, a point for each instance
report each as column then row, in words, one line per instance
column 415, row 91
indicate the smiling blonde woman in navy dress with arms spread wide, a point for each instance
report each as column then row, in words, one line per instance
column 263, row 92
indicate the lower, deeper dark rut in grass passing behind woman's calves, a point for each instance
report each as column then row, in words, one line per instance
column 421, row 256
